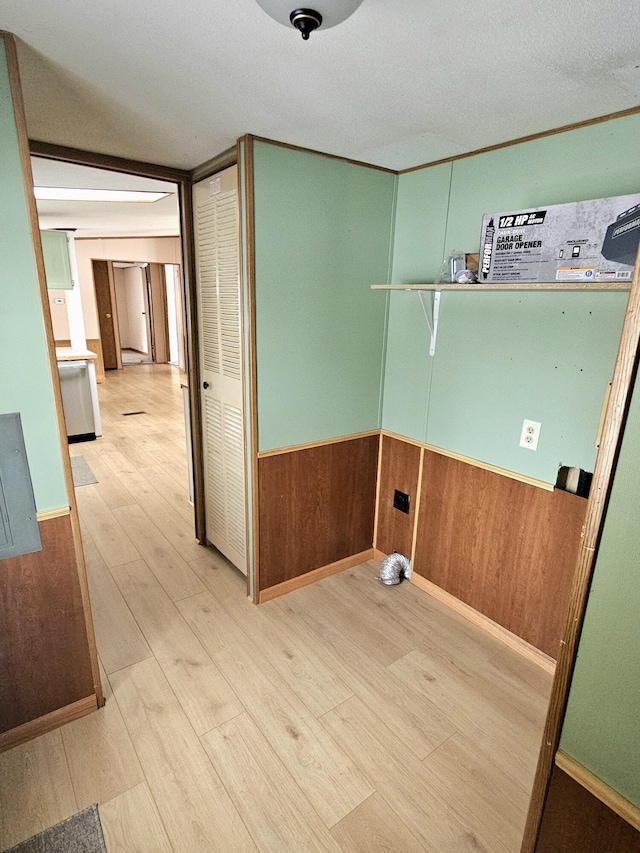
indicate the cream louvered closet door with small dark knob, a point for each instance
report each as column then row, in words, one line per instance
column 216, row 232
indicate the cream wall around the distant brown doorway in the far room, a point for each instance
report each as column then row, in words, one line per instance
column 161, row 250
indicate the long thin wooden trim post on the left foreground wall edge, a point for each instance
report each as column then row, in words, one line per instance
column 23, row 143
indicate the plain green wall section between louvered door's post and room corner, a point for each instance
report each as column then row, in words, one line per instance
column 323, row 230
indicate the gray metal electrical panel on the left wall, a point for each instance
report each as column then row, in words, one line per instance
column 19, row 530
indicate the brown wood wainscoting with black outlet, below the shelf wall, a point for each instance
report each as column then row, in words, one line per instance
column 505, row 547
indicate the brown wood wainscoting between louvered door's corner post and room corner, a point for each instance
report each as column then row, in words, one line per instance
column 316, row 508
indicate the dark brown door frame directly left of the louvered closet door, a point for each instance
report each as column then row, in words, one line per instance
column 183, row 181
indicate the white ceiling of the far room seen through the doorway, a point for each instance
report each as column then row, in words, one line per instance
column 104, row 219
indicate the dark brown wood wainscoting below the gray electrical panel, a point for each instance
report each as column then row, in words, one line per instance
column 45, row 668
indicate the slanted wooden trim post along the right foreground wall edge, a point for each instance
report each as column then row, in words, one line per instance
column 621, row 389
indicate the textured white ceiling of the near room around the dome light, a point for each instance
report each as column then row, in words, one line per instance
column 398, row 84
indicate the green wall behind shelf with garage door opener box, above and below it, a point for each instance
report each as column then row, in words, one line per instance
column 501, row 358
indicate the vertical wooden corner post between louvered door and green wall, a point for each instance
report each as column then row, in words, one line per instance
column 250, row 284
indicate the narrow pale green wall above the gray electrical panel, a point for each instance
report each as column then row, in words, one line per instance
column 25, row 383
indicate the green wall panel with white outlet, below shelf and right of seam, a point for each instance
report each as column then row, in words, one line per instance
column 545, row 357
